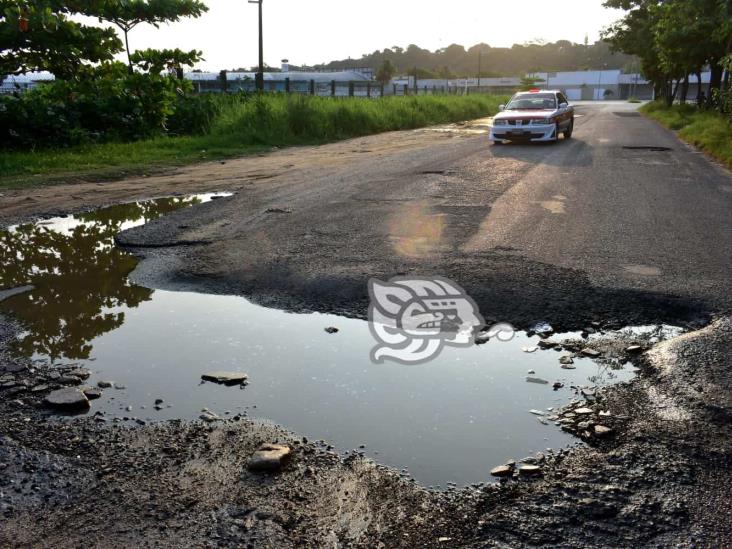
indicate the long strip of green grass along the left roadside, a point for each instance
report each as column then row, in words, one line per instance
column 244, row 127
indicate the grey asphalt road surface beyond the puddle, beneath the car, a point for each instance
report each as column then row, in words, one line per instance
column 581, row 230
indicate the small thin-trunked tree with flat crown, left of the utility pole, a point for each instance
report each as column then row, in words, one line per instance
column 127, row 14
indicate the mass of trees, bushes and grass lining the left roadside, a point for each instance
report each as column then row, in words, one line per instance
column 103, row 118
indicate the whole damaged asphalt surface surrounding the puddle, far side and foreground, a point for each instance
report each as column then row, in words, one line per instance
column 580, row 233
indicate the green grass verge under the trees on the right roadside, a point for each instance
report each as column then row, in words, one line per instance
column 707, row 130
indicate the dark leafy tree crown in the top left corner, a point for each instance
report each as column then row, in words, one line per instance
column 38, row 35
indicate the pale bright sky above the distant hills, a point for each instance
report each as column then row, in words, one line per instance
column 318, row 31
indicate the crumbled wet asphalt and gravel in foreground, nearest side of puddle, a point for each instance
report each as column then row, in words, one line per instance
column 661, row 479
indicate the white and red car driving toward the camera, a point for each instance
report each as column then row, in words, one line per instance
column 535, row 115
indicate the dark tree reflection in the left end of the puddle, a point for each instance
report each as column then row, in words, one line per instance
column 79, row 276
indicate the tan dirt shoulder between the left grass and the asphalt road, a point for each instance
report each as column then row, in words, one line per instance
column 226, row 175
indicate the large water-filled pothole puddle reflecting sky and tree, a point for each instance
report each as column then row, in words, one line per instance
column 449, row 420
